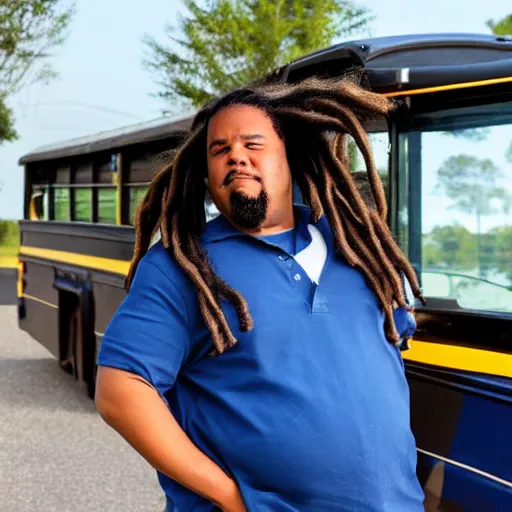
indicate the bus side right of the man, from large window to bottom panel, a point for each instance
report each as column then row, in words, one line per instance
column 453, row 218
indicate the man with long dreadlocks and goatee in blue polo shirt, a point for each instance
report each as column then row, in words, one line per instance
column 255, row 362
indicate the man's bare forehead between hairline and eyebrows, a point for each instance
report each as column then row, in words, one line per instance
column 240, row 119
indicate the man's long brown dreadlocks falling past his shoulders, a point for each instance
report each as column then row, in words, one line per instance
column 314, row 118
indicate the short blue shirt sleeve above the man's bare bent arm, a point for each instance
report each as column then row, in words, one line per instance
column 149, row 333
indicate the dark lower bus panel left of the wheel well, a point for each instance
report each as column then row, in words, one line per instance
column 41, row 318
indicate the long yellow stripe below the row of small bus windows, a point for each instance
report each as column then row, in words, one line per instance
column 82, row 260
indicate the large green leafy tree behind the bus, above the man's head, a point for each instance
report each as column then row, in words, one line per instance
column 228, row 43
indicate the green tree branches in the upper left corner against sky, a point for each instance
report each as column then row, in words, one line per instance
column 29, row 30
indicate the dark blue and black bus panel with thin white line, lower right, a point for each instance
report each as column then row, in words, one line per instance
column 464, row 448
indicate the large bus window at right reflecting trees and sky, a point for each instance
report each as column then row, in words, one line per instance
column 462, row 179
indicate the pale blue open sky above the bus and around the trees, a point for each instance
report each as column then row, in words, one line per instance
column 102, row 85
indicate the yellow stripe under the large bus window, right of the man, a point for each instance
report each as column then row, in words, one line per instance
column 460, row 358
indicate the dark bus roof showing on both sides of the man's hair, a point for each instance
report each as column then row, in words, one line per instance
column 395, row 63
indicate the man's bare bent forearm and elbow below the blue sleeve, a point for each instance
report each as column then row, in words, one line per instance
column 132, row 407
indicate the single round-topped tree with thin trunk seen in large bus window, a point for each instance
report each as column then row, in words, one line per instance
column 471, row 184
